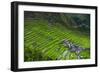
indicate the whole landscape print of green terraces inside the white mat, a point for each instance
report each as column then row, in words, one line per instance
column 56, row 36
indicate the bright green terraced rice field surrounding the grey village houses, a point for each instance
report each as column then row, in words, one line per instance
column 41, row 41
